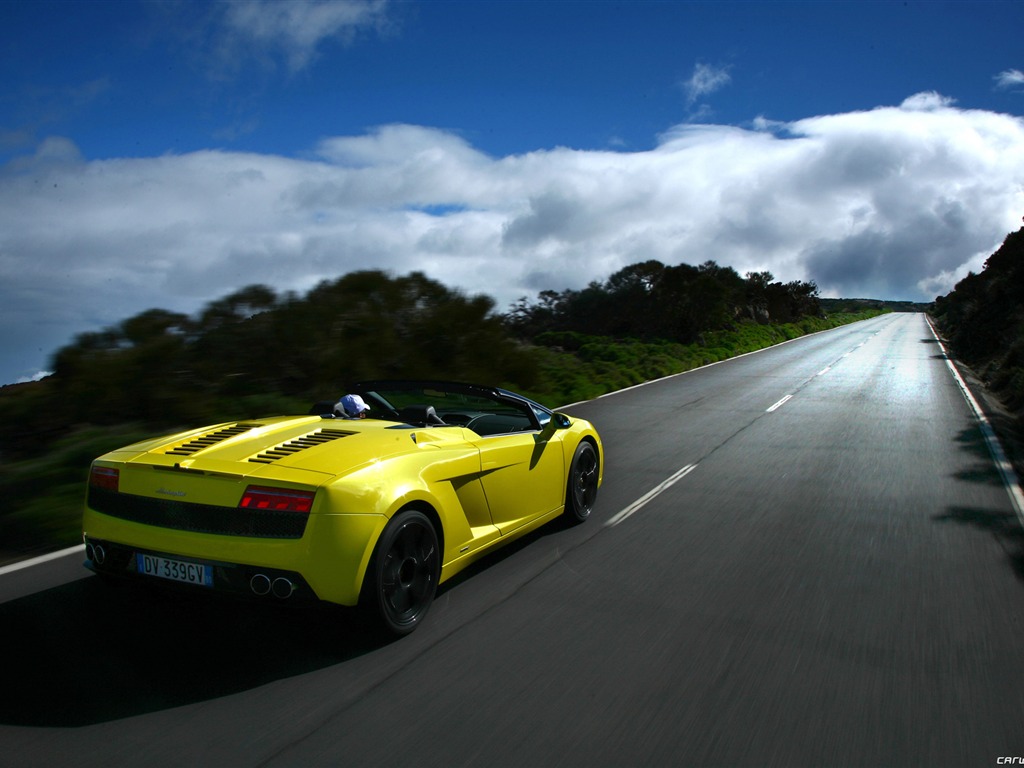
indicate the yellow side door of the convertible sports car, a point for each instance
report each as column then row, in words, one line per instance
column 524, row 476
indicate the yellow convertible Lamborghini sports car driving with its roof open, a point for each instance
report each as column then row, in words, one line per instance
column 372, row 501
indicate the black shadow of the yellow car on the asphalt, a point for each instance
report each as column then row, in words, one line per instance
column 90, row 652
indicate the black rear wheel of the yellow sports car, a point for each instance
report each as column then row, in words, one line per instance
column 403, row 576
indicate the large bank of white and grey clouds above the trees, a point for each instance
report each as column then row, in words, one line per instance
column 897, row 202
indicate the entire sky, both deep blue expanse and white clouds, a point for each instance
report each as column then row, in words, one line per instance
column 165, row 154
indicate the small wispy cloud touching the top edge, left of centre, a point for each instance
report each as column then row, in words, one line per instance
column 297, row 28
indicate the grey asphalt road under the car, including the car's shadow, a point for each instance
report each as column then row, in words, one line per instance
column 833, row 579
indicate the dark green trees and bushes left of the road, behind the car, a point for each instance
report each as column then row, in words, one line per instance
column 257, row 354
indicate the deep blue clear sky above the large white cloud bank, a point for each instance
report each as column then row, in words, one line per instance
column 127, row 79
